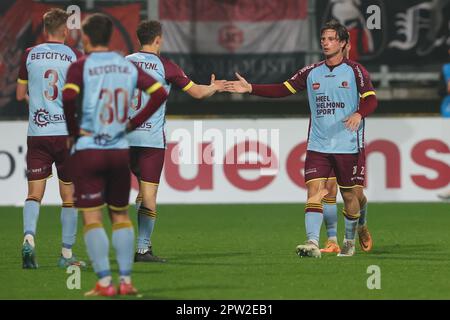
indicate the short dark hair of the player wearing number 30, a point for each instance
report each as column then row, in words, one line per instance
column 98, row 27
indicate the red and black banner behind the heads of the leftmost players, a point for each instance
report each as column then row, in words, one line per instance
column 22, row 27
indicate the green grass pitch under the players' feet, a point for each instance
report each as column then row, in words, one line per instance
column 248, row 252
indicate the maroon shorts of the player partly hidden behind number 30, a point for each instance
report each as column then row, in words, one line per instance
column 147, row 163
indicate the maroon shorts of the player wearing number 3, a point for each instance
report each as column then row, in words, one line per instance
column 42, row 152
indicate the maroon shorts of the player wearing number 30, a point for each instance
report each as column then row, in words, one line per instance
column 101, row 176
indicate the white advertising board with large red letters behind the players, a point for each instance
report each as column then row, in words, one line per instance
column 408, row 159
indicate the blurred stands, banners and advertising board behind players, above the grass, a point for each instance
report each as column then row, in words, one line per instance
column 267, row 42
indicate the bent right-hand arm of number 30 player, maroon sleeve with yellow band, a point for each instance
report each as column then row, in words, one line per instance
column 158, row 95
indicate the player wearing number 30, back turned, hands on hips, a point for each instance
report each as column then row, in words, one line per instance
column 105, row 81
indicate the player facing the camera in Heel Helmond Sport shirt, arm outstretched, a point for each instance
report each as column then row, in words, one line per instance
column 340, row 96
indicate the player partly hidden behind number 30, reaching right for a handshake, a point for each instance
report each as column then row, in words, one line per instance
column 148, row 142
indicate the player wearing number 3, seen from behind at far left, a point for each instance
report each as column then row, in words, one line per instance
column 41, row 78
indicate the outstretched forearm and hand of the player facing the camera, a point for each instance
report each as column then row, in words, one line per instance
column 278, row 90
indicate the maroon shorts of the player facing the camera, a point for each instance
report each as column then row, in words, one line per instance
column 348, row 168
